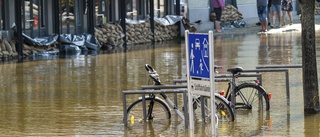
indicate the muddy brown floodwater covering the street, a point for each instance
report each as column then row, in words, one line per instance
column 82, row 96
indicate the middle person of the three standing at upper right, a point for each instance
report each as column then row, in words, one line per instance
column 276, row 10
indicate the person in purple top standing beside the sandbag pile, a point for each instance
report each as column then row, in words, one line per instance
column 218, row 6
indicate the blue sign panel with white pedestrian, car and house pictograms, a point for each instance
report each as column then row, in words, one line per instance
column 199, row 55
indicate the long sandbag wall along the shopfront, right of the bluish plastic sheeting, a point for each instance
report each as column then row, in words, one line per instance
column 110, row 34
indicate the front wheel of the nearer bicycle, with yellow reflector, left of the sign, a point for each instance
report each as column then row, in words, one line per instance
column 160, row 115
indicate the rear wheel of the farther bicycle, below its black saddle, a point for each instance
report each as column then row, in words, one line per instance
column 251, row 96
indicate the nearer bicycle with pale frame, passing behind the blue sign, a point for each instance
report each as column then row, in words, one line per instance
column 158, row 112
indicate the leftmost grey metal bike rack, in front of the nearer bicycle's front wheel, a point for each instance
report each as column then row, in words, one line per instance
column 143, row 92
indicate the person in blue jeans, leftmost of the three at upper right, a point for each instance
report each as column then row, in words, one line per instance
column 262, row 8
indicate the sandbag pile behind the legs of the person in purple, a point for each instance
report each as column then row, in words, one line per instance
column 230, row 13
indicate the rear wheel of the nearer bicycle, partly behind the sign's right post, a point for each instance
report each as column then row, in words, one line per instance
column 223, row 109
